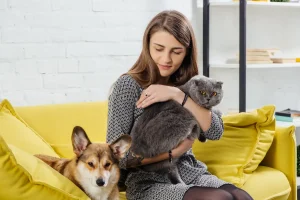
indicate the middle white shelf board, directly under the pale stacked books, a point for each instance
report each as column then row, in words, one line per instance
column 275, row 65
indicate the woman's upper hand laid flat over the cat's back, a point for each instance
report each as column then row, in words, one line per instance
column 158, row 93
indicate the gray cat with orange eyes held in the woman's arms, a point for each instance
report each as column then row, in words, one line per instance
column 163, row 125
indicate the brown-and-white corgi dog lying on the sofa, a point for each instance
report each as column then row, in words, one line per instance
column 95, row 168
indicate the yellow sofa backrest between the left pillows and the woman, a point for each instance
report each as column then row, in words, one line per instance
column 55, row 122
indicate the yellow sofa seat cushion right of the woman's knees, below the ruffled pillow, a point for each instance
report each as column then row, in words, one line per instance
column 268, row 183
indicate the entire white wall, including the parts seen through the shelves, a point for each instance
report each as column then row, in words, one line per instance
column 57, row 51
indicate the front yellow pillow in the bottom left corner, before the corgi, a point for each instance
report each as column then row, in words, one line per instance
column 24, row 176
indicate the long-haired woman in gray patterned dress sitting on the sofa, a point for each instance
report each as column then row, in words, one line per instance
column 168, row 59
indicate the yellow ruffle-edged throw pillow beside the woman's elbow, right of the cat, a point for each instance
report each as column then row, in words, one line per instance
column 246, row 139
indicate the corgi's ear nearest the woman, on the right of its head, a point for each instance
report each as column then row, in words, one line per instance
column 120, row 146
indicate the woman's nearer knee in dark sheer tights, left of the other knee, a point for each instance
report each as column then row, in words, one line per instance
column 202, row 193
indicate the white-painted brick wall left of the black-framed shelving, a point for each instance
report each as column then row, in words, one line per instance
column 57, row 51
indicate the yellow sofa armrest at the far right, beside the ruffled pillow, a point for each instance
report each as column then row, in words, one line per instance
column 282, row 155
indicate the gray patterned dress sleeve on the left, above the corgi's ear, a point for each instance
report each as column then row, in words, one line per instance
column 121, row 106
